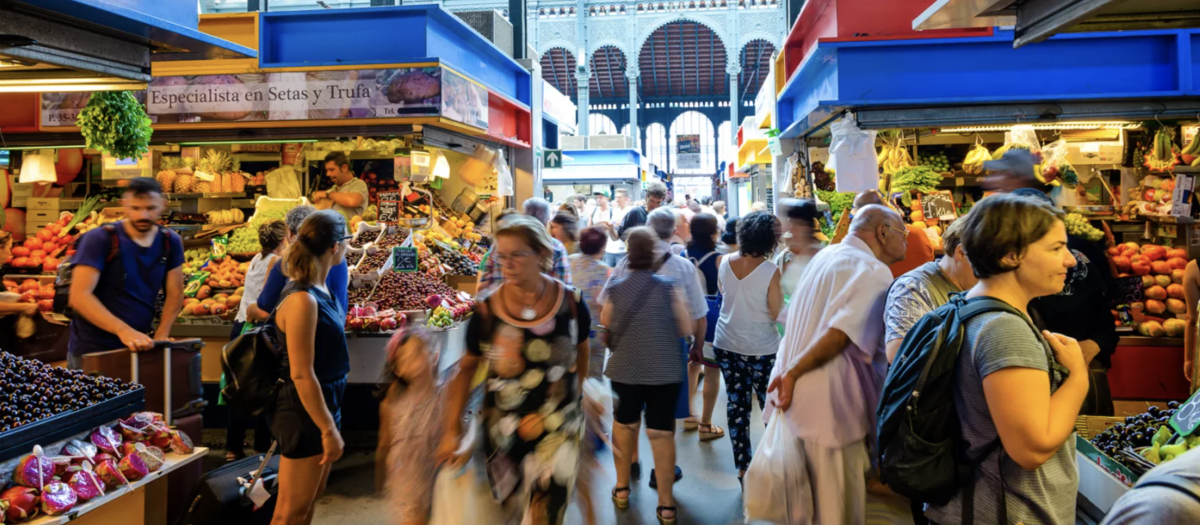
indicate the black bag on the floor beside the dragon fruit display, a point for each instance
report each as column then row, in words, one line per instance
column 221, row 496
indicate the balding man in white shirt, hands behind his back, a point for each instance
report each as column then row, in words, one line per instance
column 833, row 361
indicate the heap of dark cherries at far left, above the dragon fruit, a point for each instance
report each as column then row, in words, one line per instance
column 32, row 391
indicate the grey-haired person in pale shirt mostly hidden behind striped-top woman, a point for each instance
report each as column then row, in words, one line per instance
column 682, row 271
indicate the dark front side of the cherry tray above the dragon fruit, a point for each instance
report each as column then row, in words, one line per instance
column 53, row 430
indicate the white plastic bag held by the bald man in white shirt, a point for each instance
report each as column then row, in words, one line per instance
column 777, row 485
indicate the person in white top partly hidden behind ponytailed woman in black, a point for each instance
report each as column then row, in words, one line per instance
column 273, row 238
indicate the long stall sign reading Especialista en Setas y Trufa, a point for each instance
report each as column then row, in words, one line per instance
column 319, row 95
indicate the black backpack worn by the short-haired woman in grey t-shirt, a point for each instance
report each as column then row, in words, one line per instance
column 921, row 452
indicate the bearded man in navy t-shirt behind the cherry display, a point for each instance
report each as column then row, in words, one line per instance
column 119, row 271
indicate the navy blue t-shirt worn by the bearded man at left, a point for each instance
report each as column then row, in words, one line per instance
column 131, row 294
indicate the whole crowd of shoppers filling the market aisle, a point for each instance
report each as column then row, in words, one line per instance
column 807, row 330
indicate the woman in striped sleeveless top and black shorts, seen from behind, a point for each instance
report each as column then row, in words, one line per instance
column 647, row 369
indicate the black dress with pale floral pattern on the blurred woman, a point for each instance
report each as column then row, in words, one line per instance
column 532, row 419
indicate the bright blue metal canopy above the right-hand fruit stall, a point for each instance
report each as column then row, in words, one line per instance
column 1151, row 65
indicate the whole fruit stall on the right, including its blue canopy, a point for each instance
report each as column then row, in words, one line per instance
column 1115, row 140
